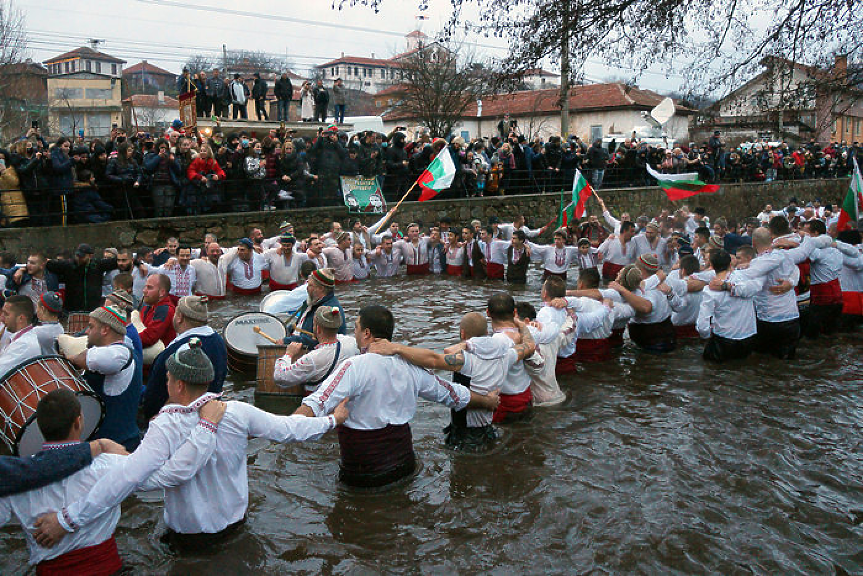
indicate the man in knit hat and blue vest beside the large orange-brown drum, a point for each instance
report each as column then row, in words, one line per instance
column 113, row 370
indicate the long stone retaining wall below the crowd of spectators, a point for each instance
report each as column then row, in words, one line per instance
column 733, row 200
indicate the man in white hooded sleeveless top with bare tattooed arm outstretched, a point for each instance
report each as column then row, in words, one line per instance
column 479, row 362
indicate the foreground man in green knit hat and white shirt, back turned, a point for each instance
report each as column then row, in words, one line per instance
column 213, row 502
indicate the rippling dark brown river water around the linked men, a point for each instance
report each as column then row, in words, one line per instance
column 653, row 465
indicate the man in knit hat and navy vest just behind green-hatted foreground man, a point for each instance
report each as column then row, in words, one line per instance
column 190, row 321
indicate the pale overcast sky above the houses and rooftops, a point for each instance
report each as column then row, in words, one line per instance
column 167, row 32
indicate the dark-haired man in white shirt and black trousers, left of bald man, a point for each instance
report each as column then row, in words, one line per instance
column 727, row 320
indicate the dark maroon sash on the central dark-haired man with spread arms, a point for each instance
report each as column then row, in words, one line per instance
column 368, row 457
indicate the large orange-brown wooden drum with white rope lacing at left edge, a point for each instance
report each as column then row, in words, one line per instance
column 23, row 387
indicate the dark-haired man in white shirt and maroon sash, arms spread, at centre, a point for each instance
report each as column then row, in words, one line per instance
column 375, row 441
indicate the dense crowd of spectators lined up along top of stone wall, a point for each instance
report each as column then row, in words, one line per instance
column 142, row 175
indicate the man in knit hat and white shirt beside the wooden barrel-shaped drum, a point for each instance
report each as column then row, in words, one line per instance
column 296, row 369
